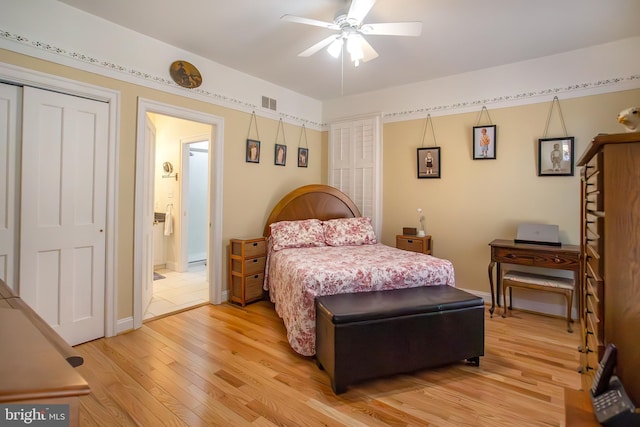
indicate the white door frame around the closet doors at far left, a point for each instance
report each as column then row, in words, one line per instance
column 13, row 74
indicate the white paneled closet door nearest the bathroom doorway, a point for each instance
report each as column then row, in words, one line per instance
column 63, row 211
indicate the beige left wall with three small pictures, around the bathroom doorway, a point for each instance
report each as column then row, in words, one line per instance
column 249, row 190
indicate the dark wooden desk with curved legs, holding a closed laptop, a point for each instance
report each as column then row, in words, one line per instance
column 565, row 257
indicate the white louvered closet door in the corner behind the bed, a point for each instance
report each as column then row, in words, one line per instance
column 355, row 164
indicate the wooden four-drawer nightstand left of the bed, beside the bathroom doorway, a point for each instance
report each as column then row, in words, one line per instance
column 247, row 259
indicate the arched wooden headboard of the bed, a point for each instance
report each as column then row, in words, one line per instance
column 312, row 201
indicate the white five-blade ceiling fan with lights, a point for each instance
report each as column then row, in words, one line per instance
column 351, row 31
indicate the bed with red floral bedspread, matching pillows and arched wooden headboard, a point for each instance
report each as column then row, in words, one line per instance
column 319, row 244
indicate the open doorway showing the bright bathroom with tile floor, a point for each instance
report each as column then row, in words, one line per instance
column 181, row 195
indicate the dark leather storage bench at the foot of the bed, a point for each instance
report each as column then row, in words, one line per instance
column 368, row 335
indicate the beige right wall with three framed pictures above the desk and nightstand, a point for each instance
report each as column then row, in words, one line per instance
column 476, row 201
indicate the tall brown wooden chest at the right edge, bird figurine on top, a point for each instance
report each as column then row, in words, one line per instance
column 610, row 250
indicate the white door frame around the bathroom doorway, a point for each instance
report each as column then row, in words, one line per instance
column 216, row 143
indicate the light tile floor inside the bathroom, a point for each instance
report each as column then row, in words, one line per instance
column 178, row 291
